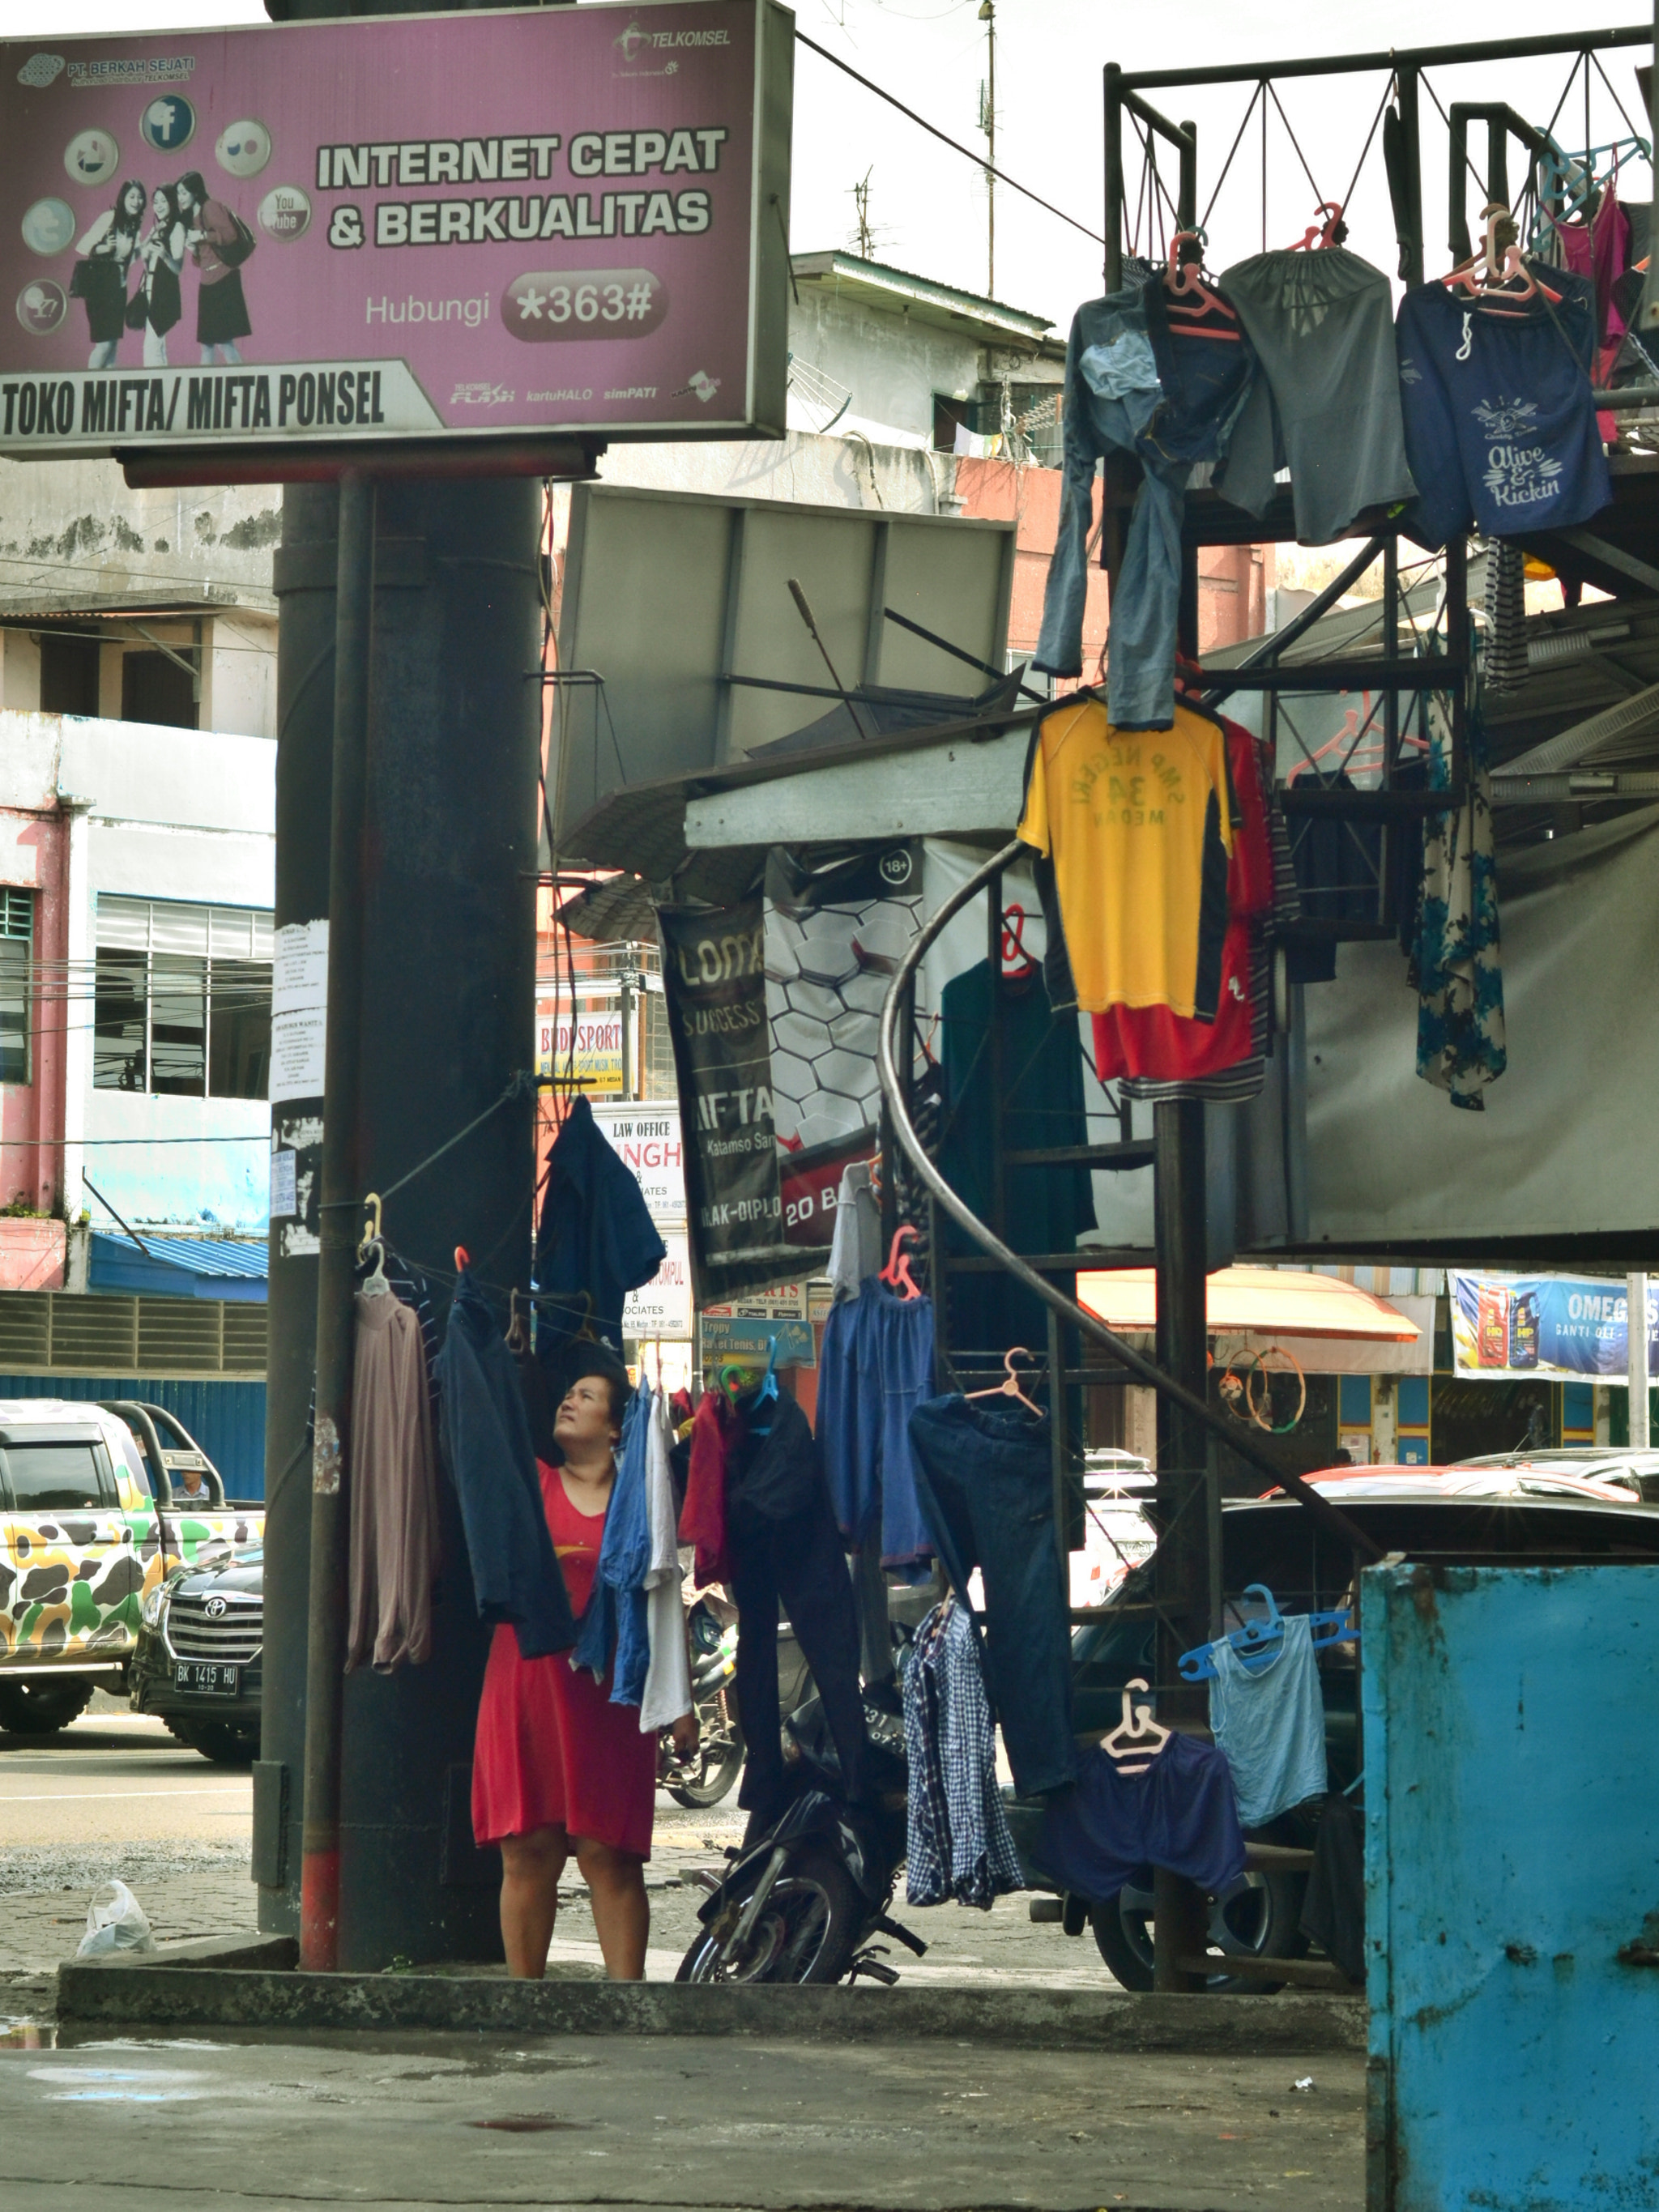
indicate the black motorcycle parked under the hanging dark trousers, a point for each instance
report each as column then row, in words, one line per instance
column 802, row 1901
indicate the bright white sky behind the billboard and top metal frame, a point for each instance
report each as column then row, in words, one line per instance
column 928, row 205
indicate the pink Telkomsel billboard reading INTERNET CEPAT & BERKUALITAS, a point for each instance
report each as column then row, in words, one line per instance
column 536, row 222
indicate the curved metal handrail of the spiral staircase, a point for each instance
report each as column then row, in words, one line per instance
column 1056, row 1300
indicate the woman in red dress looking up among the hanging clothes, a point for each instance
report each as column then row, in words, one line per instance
column 556, row 1764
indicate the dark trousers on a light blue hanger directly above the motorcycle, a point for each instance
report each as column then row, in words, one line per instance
column 784, row 1547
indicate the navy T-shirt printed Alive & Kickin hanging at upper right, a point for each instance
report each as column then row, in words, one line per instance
column 1499, row 415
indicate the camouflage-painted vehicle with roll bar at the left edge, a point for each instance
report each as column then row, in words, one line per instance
column 81, row 1545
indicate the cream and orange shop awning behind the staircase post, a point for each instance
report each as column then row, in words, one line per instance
column 1326, row 1324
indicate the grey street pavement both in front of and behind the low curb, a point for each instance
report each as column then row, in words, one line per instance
column 289, row 2120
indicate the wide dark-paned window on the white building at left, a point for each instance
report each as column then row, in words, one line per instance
column 182, row 1001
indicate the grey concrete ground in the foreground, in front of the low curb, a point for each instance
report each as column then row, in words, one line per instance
column 282, row 2120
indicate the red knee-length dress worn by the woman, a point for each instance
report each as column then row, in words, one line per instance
column 552, row 1749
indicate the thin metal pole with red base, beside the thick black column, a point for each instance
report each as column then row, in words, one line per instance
column 320, row 1910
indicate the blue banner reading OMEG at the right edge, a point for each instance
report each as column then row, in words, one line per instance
column 1567, row 1326
